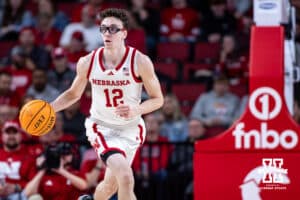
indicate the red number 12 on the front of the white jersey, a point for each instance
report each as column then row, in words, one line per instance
column 113, row 97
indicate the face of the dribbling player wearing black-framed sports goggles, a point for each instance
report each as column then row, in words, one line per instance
column 112, row 32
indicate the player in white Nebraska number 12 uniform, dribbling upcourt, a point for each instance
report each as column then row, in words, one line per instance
column 115, row 127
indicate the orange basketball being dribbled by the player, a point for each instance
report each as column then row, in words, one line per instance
column 37, row 117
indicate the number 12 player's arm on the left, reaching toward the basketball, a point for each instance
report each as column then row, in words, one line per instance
column 73, row 94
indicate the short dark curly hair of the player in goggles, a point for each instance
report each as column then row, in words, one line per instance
column 118, row 13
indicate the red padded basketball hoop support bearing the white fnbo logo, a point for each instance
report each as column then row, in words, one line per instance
column 257, row 158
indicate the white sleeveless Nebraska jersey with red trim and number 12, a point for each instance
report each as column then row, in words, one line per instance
column 112, row 87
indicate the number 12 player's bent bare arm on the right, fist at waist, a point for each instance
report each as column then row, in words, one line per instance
column 151, row 83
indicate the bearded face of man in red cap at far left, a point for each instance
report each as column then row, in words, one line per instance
column 11, row 138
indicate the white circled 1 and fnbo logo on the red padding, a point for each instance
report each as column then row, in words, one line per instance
column 264, row 137
